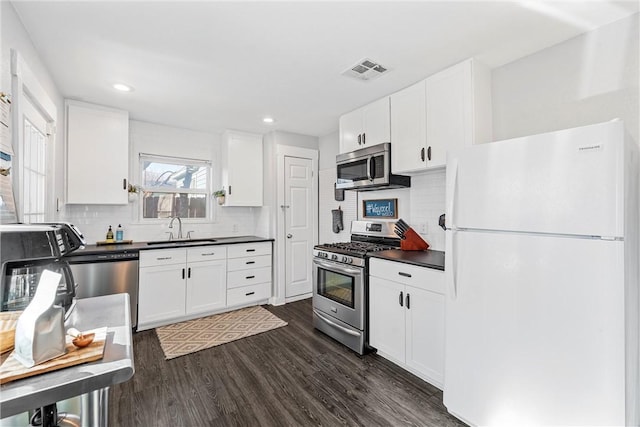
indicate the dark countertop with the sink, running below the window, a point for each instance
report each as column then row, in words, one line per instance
column 138, row 246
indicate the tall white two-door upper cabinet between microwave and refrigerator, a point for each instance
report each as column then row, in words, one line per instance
column 448, row 110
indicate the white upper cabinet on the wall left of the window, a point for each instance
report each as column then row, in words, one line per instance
column 97, row 154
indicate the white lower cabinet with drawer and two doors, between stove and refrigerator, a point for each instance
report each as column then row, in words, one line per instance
column 406, row 317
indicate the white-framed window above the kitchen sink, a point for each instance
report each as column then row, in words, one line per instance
column 173, row 186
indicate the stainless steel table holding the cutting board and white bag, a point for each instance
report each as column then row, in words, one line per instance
column 90, row 379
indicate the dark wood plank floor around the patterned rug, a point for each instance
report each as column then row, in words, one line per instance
column 291, row 376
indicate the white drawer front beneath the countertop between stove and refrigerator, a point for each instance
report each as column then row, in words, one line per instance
column 408, row 274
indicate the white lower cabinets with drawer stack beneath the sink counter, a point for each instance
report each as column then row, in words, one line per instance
column 185, row 283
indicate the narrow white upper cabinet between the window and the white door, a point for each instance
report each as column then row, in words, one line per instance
column 242, row 176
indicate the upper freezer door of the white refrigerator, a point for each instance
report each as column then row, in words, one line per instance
column 565, row 182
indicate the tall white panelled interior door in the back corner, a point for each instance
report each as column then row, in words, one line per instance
column 298, row 227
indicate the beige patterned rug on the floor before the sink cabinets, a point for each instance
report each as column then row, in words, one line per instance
column 198, row 334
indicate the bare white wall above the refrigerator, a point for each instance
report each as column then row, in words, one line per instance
column 589, row 79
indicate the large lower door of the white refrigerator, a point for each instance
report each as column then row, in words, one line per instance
column 534, row 330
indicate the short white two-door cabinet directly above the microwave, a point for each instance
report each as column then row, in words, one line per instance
column 366, row 126
